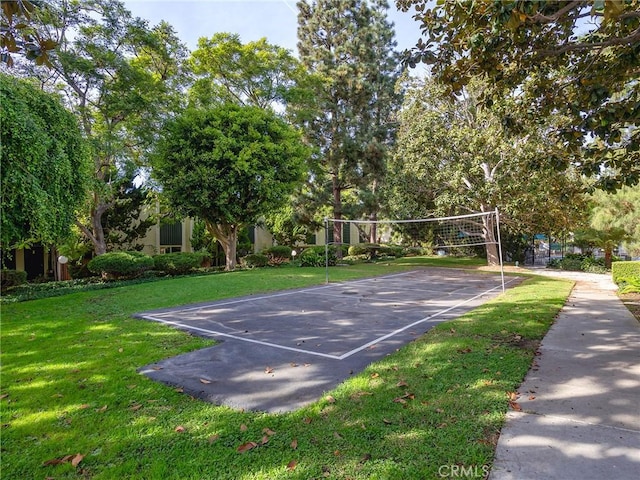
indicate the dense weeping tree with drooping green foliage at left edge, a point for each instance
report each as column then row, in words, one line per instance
column 45, row 164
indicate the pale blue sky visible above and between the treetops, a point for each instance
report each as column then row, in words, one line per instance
column 251, row 19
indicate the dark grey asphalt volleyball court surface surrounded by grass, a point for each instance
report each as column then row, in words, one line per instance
column 280, row 351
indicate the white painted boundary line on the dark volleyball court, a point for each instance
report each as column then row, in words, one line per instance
column 319, row 354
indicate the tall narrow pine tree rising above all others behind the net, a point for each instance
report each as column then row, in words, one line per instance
column 349, row 44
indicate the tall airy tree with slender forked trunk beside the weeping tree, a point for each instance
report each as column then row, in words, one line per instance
column 121, row 78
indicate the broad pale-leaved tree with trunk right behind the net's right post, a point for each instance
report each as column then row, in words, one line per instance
column 455, row 156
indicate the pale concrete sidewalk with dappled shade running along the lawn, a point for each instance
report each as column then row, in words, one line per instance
column 580, row 402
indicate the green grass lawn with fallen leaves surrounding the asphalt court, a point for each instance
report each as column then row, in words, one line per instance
column 73, row 405
